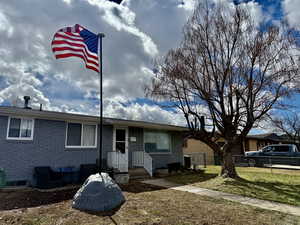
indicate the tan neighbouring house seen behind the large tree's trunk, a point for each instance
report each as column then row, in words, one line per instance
column 251, row 143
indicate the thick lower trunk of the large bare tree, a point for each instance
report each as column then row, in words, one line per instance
column 228, row 167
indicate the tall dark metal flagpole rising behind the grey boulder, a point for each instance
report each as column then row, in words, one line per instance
column 100, row 35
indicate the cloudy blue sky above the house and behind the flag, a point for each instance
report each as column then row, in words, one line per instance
column 137, row 33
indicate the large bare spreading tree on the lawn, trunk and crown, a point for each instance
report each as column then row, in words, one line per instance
column 229, row 67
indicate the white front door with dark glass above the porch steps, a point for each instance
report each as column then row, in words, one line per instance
column 121, row 148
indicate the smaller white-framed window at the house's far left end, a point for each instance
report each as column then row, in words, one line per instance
column 20, row 128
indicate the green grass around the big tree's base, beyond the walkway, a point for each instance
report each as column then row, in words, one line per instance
column 276, row 185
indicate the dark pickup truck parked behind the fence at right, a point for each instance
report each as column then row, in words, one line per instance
column 286, row 154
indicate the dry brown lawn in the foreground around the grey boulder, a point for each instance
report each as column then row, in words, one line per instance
column 145, row 205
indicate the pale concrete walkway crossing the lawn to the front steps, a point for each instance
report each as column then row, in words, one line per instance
column 269, row 205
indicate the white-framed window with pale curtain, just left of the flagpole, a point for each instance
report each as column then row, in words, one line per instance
column 81, row 135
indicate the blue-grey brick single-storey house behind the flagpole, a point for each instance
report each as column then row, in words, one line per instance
column 31, row 138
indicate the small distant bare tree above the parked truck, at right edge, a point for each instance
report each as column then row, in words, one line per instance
column 289, row 125
